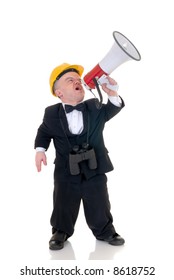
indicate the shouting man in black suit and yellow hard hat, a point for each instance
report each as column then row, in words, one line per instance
column 81, row 156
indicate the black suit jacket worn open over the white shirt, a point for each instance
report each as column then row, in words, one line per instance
column 55, row 127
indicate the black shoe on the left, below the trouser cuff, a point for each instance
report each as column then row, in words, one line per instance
column 57, row 240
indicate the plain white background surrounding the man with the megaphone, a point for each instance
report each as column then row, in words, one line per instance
column 38, row 35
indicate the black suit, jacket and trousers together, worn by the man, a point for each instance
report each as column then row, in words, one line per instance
column 91, row 184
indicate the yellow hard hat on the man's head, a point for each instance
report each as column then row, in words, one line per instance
column 62, row 69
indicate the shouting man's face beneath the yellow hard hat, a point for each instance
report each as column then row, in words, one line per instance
column 70, row 89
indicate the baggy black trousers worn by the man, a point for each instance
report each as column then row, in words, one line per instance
column 93, row 193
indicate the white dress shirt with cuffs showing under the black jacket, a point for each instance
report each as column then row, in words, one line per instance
column 75, row 119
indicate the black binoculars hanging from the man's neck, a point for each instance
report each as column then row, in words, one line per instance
column 79, row 154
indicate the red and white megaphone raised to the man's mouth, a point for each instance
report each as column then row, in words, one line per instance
column 121, row 51
